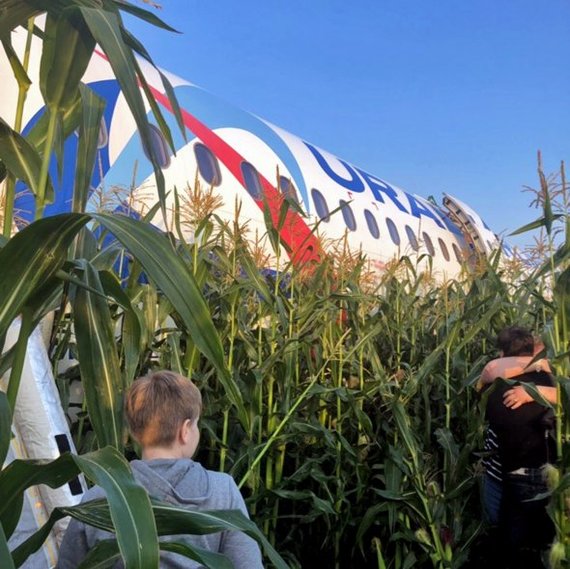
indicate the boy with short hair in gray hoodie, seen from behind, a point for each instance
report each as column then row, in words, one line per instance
column 162, row 411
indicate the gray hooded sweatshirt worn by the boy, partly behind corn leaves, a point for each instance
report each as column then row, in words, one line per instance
column 184, row 483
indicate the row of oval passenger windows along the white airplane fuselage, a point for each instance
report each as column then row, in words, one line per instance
column 210, row 171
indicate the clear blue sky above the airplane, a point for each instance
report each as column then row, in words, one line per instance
column 442, row 95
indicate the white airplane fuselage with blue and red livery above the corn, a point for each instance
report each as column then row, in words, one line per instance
column 245, row 158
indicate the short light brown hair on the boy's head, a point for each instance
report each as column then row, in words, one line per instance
column 157, row 404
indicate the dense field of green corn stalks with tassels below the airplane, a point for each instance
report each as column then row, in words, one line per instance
column 356, row 432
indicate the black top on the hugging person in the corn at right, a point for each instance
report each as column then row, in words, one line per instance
column 521, row 432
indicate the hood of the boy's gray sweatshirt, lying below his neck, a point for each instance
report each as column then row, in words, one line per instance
column 175, row 481
